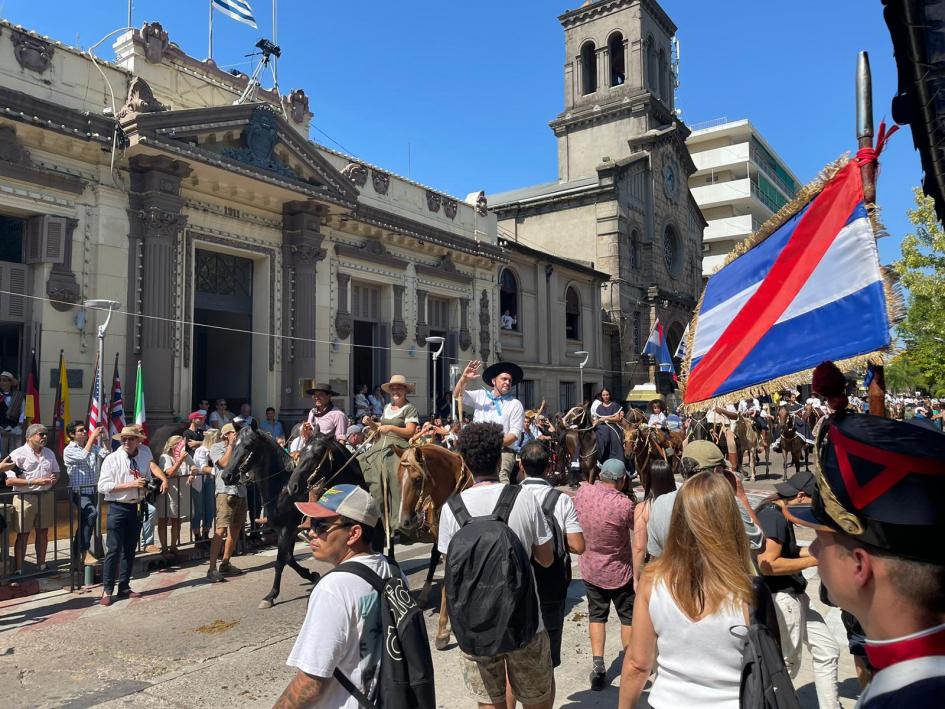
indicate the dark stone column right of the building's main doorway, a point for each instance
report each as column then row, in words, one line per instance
column 301, row 252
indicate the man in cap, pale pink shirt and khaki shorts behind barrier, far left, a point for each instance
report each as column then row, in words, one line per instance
column 40, row 472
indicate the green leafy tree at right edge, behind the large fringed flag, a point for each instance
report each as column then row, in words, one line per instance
column 922, row 272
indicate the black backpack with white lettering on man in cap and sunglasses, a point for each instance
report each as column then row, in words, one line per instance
column 406, row 678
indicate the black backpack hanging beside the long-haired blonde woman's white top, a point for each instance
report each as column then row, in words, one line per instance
column 765, row 682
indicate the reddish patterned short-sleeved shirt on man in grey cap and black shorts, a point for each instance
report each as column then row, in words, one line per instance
column 606, row 516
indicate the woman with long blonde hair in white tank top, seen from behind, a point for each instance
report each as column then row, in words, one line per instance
column 687, row 602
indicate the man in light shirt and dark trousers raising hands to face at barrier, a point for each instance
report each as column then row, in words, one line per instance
column 79, row 457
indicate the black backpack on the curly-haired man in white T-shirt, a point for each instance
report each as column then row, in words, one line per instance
column 490, row 590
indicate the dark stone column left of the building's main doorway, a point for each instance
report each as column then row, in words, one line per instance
column 156, row 223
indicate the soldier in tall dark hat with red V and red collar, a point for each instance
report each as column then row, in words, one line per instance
column 880, row 520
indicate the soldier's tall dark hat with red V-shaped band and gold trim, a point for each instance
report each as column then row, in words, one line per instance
column 882, row 482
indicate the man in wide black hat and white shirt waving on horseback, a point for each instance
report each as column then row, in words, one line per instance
column 496, row 405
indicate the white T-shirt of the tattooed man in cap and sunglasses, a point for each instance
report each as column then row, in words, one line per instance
column 342, row 629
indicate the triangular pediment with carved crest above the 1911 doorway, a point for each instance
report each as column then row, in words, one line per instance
column 252, row 139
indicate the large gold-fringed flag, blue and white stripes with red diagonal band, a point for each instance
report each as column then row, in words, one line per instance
column 806, row 288
